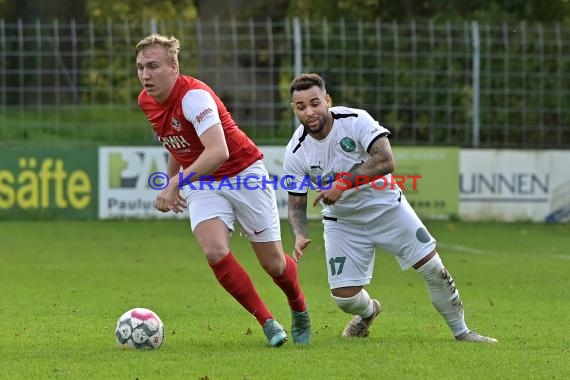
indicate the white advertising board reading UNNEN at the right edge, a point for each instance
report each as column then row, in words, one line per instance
column 511, row 185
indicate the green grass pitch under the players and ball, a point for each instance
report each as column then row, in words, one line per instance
column 64, row 284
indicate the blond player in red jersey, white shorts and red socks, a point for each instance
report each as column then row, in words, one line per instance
column 202, row 139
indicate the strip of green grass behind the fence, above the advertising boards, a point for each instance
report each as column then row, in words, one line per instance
column 96, row 124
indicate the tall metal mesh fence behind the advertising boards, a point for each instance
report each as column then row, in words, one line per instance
column 463, row 84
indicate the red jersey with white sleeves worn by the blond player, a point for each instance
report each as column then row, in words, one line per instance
column 191, row 108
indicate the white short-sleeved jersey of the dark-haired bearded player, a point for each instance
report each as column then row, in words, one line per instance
column 311, row 164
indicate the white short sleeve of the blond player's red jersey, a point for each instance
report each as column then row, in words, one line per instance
column 200, row 109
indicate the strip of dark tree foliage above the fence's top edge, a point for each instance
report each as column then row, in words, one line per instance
column 488, row 10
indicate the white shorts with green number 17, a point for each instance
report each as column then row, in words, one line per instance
column 350, row 248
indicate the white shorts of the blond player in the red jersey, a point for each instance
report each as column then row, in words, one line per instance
column 254, row 206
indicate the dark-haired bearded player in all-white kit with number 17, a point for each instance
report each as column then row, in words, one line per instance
column 335, row 148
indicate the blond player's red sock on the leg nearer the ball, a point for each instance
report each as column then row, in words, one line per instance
column 237, row 282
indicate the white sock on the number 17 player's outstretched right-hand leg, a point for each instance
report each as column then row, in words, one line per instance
column 444, row 294
